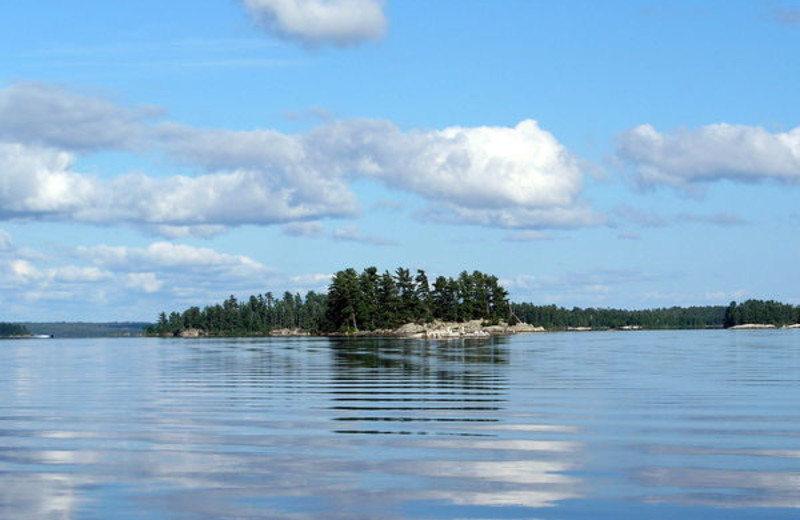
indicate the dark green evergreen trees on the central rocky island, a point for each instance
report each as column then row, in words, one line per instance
column 365, row 301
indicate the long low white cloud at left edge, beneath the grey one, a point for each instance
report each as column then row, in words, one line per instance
column 40, row 183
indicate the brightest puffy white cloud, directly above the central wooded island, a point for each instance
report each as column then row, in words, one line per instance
column 480, row 167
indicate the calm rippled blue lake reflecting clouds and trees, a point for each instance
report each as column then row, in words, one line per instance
column 593, row 425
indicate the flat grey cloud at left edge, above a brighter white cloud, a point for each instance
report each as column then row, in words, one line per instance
column 46, row 115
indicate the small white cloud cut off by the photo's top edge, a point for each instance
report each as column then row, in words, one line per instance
column 320, row 22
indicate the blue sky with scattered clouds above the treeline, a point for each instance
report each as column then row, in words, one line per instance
column 158, row 155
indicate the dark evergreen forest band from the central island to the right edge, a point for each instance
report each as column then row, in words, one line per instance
column 372, row 301
